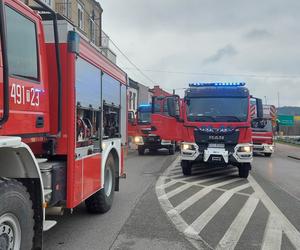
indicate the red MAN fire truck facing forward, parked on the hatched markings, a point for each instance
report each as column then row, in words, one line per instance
column 214, row 124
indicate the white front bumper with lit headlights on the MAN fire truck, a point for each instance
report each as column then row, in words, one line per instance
column 217, row 154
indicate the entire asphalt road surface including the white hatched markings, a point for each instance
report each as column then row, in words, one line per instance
column 158, row 208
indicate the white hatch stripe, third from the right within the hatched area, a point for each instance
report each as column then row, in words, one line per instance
column 197, row 226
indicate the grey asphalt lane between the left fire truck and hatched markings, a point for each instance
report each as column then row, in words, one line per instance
column 136, row 220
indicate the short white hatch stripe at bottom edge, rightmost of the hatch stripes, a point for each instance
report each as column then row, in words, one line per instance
column 273, row 234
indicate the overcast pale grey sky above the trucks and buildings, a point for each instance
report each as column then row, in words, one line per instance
column 176, row 42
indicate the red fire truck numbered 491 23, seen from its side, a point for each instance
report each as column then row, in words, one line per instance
column 63, row 123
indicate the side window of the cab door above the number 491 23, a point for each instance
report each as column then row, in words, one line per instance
column 22, row 56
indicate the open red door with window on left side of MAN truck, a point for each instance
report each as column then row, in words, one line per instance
column 166, row 117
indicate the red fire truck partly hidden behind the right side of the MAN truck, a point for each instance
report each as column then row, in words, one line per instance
column 262, row 130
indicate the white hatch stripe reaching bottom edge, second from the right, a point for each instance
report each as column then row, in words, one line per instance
column 233, row 234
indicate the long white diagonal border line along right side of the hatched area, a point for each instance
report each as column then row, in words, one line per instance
column 291, row 232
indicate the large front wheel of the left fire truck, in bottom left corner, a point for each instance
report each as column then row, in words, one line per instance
column 16, row 216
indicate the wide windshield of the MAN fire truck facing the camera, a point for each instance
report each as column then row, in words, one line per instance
column 217, row 109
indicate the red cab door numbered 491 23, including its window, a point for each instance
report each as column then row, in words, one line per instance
column 26, row 97
